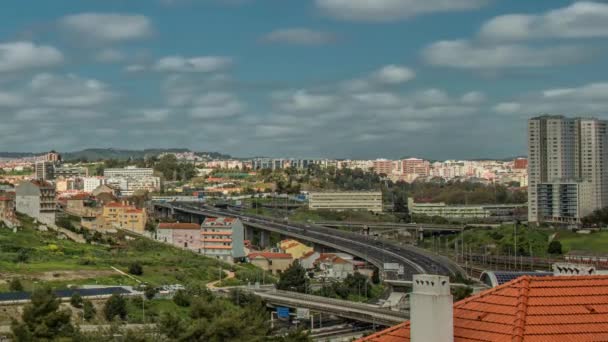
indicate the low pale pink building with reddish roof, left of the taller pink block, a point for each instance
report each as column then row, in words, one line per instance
column 183, row 235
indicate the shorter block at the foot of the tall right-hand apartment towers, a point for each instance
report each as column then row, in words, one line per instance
column 564, row 202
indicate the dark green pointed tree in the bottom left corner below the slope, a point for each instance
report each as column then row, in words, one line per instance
column 42, row 319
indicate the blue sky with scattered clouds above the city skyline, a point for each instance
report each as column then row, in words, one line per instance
column 438, row 79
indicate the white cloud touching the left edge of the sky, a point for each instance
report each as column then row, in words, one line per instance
column 18, row 56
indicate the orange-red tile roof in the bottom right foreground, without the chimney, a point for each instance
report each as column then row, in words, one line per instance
column 528, row 309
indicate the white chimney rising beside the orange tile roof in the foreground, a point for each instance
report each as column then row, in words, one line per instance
column 431, row 309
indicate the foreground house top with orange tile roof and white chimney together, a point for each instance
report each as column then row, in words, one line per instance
column 555, row 308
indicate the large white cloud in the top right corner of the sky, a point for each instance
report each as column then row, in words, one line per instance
column 583, row 19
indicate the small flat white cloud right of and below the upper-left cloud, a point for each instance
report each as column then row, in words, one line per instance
column 194, row 64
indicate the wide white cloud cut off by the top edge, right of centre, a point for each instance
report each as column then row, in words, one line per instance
column 390, row 10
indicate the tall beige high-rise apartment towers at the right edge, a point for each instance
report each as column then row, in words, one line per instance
column 566, row 150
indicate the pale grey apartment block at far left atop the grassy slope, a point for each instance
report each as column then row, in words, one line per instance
column 37, row 200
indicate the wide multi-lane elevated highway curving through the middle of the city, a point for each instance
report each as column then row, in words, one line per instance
column 376, row 251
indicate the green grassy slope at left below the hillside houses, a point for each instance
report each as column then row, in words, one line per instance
column 162, row 264
